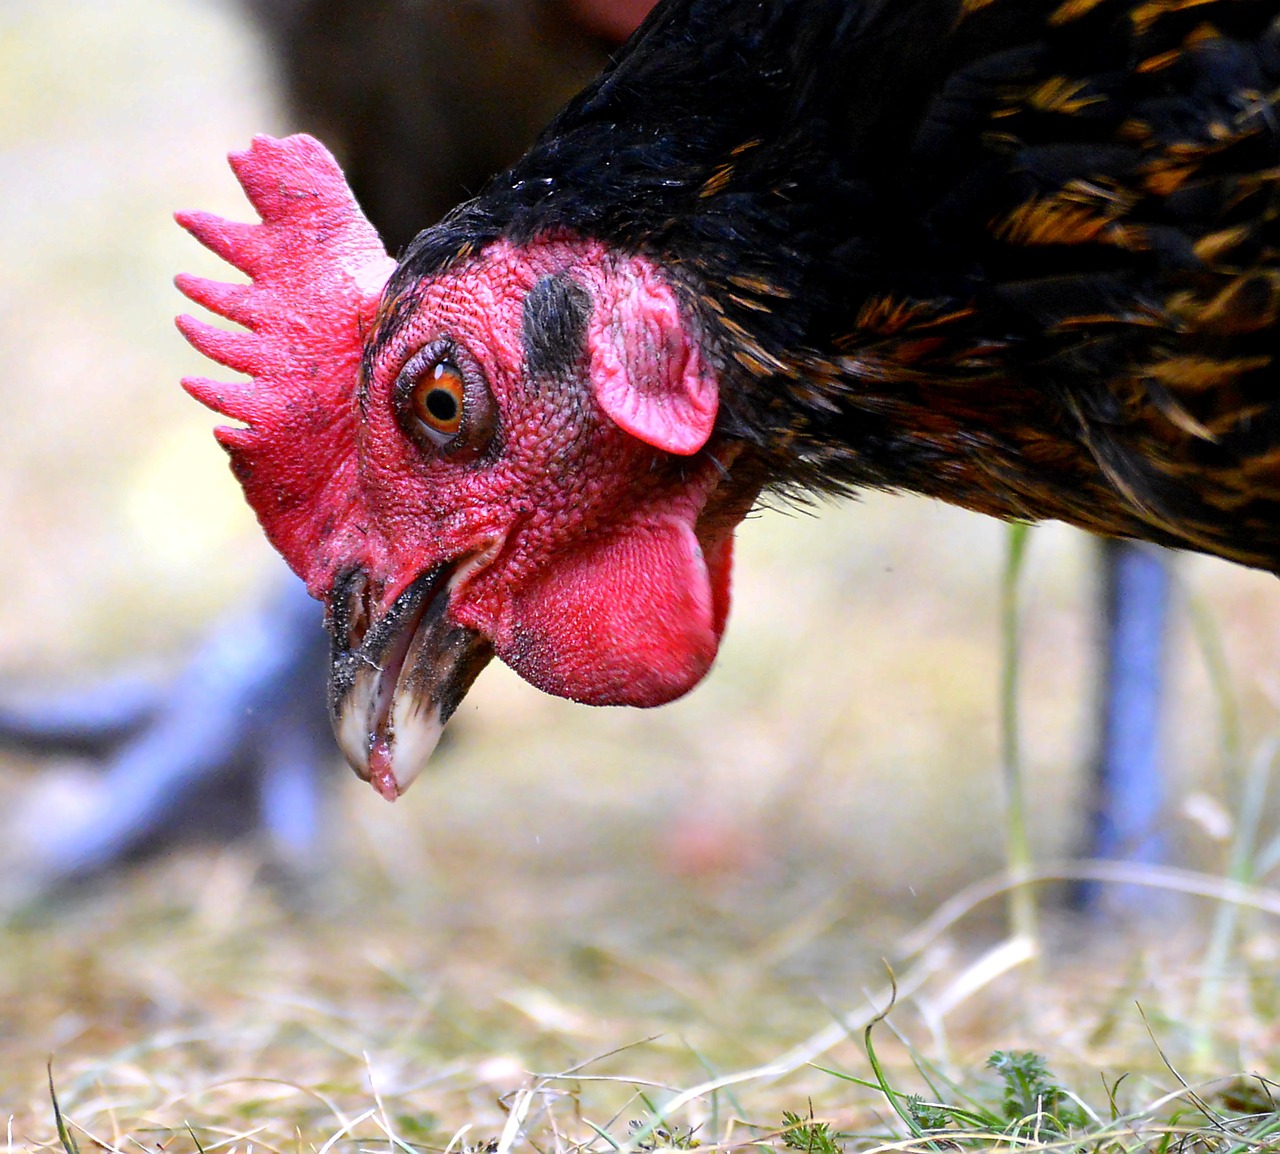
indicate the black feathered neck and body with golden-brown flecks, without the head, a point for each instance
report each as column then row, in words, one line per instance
column 1020, row 257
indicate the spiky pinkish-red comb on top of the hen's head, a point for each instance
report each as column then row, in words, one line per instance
column 317, row 271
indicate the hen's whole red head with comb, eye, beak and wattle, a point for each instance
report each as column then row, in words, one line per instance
column 514, row 457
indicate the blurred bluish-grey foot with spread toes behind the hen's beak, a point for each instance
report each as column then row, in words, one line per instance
column 241, row 735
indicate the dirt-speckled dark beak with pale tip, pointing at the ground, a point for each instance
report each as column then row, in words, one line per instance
column 395, row 683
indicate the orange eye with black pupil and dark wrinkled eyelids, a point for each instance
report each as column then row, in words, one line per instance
column 444, row 402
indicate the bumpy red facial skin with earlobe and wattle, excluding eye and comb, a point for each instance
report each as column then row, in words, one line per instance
column 595, row 584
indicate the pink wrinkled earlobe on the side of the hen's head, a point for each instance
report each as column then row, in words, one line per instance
column 647, row 370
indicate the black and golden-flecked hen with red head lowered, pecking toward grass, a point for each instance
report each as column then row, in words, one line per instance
column 1020, row 257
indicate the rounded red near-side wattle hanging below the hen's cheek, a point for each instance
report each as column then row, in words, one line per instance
column 634, row 619
